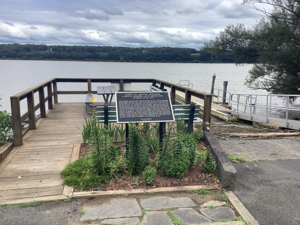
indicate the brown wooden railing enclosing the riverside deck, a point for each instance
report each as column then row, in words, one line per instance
column 52, row 97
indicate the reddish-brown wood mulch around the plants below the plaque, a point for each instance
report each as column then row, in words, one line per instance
column 125, row 182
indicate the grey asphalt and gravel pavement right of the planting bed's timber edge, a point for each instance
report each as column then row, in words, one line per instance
column 269, row 187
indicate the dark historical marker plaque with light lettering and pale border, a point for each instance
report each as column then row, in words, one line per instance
column 143, row 107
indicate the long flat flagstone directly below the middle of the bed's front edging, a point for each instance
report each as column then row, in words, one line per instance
column 163, row 202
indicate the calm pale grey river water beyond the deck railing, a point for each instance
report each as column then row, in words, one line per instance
column 19, row 75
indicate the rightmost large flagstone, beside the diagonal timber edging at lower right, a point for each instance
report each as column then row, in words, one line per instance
column 218, row 213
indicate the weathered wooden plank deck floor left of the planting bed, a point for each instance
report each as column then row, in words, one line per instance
column 31, row 172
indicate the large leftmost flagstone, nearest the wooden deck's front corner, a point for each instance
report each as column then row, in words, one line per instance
column 115, row 208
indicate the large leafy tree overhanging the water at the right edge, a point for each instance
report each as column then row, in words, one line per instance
column 272, row 44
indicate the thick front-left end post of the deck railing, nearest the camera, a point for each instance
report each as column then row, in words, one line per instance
column 16, row 120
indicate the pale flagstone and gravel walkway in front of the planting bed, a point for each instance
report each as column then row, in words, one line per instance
column 121, row 210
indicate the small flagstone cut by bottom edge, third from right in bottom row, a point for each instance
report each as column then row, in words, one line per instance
column 156, row 218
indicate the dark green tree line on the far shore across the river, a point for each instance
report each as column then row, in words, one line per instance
column 108, row 53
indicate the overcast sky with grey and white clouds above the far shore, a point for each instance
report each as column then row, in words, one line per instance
column 133, row 23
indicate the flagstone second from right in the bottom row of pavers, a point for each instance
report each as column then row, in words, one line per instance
column 189, row 216
